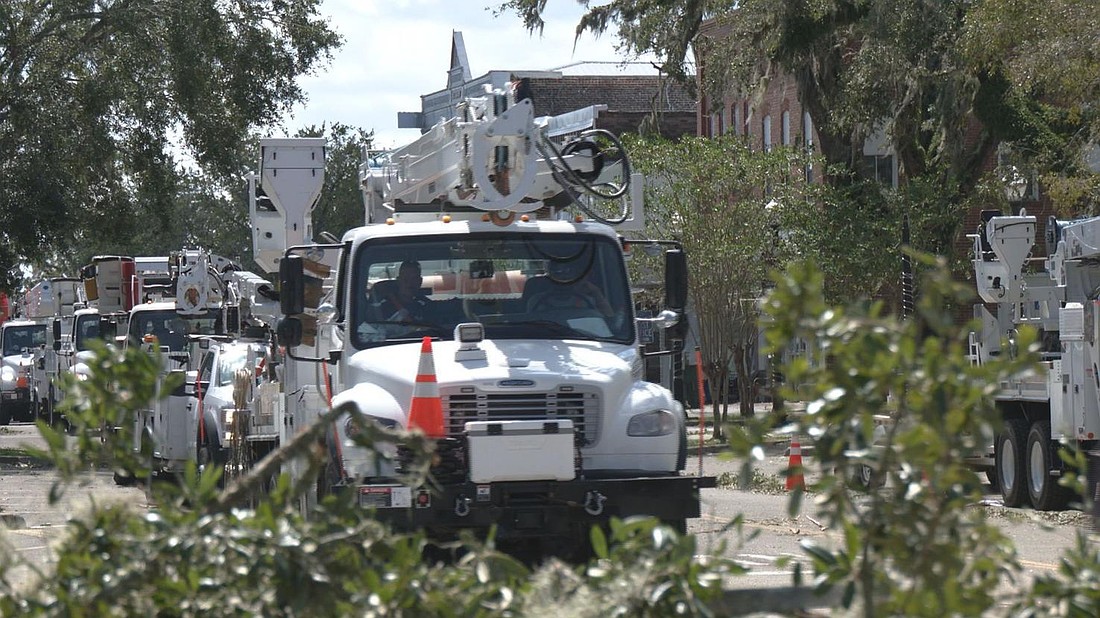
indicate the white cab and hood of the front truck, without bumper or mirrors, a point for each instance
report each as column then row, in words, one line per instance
column 547, row 340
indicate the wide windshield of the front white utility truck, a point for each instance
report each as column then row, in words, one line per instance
column 520, row 286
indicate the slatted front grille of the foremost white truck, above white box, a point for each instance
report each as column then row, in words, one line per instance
column 469, row 404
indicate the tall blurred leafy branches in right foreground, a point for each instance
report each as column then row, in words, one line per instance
column 903, row 399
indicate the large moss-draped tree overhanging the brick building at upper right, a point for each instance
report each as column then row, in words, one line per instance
column 948, row 81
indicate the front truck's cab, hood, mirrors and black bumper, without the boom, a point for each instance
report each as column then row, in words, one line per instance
column 541, row 379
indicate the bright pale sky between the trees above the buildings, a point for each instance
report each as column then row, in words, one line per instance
column 395, row 51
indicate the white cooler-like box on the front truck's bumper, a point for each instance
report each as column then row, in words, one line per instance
column 521, row 450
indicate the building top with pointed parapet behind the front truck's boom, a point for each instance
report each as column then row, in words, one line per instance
column 597, row 95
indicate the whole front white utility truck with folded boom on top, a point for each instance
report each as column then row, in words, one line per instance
column 480, row 253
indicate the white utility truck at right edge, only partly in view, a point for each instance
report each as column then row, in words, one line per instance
column 1059, row 406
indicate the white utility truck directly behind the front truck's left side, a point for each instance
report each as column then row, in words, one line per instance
column 193, row 323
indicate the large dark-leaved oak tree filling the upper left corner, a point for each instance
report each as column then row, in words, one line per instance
column 98, row 100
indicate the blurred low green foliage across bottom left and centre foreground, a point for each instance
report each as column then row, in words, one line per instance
column 199, row 554
